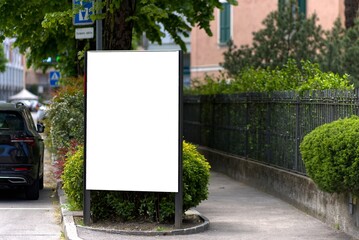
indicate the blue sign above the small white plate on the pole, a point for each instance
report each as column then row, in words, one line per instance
column 82, row 17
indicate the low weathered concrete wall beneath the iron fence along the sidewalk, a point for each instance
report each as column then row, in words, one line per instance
column 298, row 190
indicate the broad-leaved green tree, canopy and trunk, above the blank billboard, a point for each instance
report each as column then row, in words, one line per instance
column 43, row 28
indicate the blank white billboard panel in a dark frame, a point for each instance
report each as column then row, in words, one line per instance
column 132, row 124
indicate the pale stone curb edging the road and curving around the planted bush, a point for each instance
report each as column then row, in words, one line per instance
column 70, row 229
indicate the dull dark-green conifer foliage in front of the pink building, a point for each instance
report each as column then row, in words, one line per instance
column 287, row 35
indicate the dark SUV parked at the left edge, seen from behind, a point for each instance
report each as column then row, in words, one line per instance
column 21, row 150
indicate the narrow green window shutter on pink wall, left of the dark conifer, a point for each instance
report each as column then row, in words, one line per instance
column 225, row 23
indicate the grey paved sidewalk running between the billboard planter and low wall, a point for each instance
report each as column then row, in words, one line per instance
column 237, row 211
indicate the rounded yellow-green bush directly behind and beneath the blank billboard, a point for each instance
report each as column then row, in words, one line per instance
column 139, row 205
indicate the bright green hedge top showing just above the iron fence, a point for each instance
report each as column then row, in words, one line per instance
column 291, row 76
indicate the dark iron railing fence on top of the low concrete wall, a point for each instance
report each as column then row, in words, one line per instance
column 261, row 126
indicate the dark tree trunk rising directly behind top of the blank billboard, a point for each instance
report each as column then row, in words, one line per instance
column 118, row 31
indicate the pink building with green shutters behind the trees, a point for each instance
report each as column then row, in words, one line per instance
column 239, row 22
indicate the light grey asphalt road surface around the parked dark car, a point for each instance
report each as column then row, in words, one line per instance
column 31, row 220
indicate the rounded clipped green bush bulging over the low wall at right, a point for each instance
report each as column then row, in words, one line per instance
column 331, row 155
